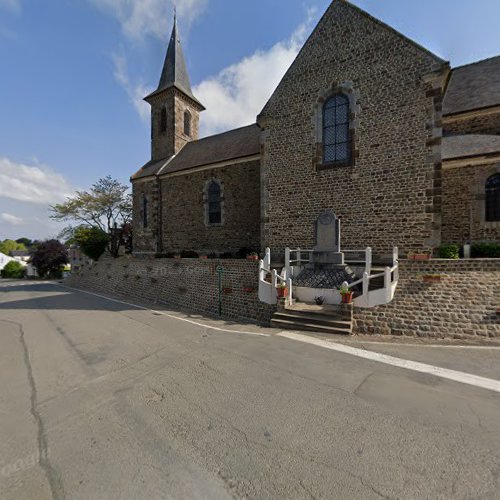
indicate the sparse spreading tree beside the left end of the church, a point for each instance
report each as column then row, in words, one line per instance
column 106, row 206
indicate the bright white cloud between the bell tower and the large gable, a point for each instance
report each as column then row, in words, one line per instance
column 237, row 94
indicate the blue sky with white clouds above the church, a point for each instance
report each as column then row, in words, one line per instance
column 73, row 74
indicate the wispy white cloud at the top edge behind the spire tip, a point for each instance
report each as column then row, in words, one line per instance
column 139, row 18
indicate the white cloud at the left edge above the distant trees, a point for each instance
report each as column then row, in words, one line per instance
column 32, row 184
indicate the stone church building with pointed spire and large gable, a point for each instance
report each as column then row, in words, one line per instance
column 366, row 123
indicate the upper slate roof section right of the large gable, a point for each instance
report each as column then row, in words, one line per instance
column 473, row 86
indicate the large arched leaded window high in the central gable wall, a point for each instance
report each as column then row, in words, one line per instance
column 336, row 135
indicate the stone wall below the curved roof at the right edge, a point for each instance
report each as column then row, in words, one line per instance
column 464, row 205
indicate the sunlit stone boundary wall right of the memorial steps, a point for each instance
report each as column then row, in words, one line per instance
column 462, row 305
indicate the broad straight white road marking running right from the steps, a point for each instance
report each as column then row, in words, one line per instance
column 461, row 377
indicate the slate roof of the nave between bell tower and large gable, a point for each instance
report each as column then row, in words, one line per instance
column 232, row 145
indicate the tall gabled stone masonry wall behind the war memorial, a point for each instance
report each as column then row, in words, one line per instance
column 392, row 194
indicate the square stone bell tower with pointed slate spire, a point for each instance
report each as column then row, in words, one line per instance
column 175, row 112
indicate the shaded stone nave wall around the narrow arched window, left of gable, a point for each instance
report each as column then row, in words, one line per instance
column 184, row 224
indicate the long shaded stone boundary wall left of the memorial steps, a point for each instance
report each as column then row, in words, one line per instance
column 191, row 284
